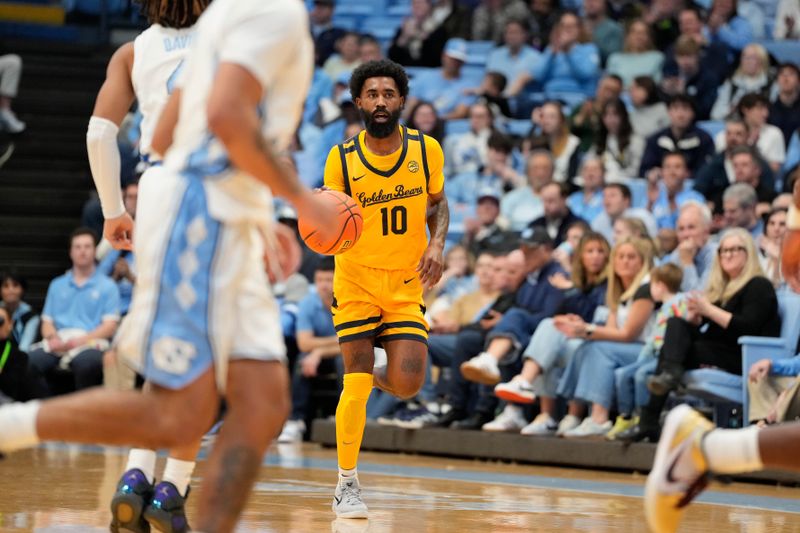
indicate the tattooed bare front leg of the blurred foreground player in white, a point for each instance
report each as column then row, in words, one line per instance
column 258, row 405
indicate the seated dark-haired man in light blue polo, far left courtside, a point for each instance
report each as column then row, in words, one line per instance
column 81, row 313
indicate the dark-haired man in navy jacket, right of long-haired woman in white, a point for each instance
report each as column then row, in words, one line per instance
column 682, row 135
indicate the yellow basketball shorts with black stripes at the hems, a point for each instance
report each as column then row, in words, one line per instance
column 376, row 303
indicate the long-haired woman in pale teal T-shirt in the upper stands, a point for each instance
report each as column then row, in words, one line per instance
column 639, row 56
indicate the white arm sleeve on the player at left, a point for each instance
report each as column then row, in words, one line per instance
column 101, row 143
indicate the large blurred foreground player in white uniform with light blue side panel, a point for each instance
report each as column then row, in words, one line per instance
column 202, row 321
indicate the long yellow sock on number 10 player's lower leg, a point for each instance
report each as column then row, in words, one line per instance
column 351, row 416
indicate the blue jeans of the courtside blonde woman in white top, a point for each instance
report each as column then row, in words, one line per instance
column 596, row 373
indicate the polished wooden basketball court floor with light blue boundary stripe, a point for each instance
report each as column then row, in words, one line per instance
column 59, row 488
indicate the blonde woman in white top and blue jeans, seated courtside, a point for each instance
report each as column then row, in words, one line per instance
column 589, row 376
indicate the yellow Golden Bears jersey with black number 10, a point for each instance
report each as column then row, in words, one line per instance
column 392, row 192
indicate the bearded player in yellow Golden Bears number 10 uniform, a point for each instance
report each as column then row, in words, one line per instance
column 395, row 175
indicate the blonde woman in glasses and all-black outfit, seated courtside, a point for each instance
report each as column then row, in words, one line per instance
column 738, row 301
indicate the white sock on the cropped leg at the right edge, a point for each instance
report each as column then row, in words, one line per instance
column 733, row 451
